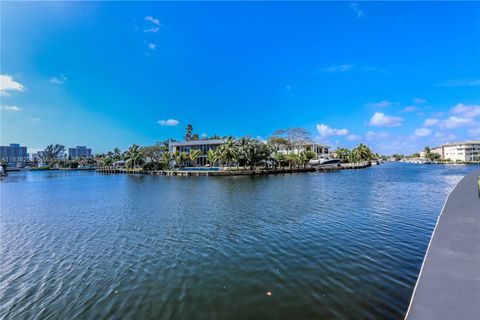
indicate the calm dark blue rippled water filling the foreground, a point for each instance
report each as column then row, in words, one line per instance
column 337, row 245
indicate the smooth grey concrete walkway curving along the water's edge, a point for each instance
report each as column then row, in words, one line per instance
column 448, row 286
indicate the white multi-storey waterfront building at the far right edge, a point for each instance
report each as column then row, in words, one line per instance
column 459, row 151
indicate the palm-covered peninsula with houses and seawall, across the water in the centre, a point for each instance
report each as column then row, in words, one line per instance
column 288, row 150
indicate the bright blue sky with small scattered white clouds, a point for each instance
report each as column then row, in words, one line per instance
column 396, row 76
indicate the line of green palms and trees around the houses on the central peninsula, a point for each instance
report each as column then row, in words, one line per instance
column 284, row 148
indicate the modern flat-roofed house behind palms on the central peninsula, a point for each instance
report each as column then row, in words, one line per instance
column 202, row 145
